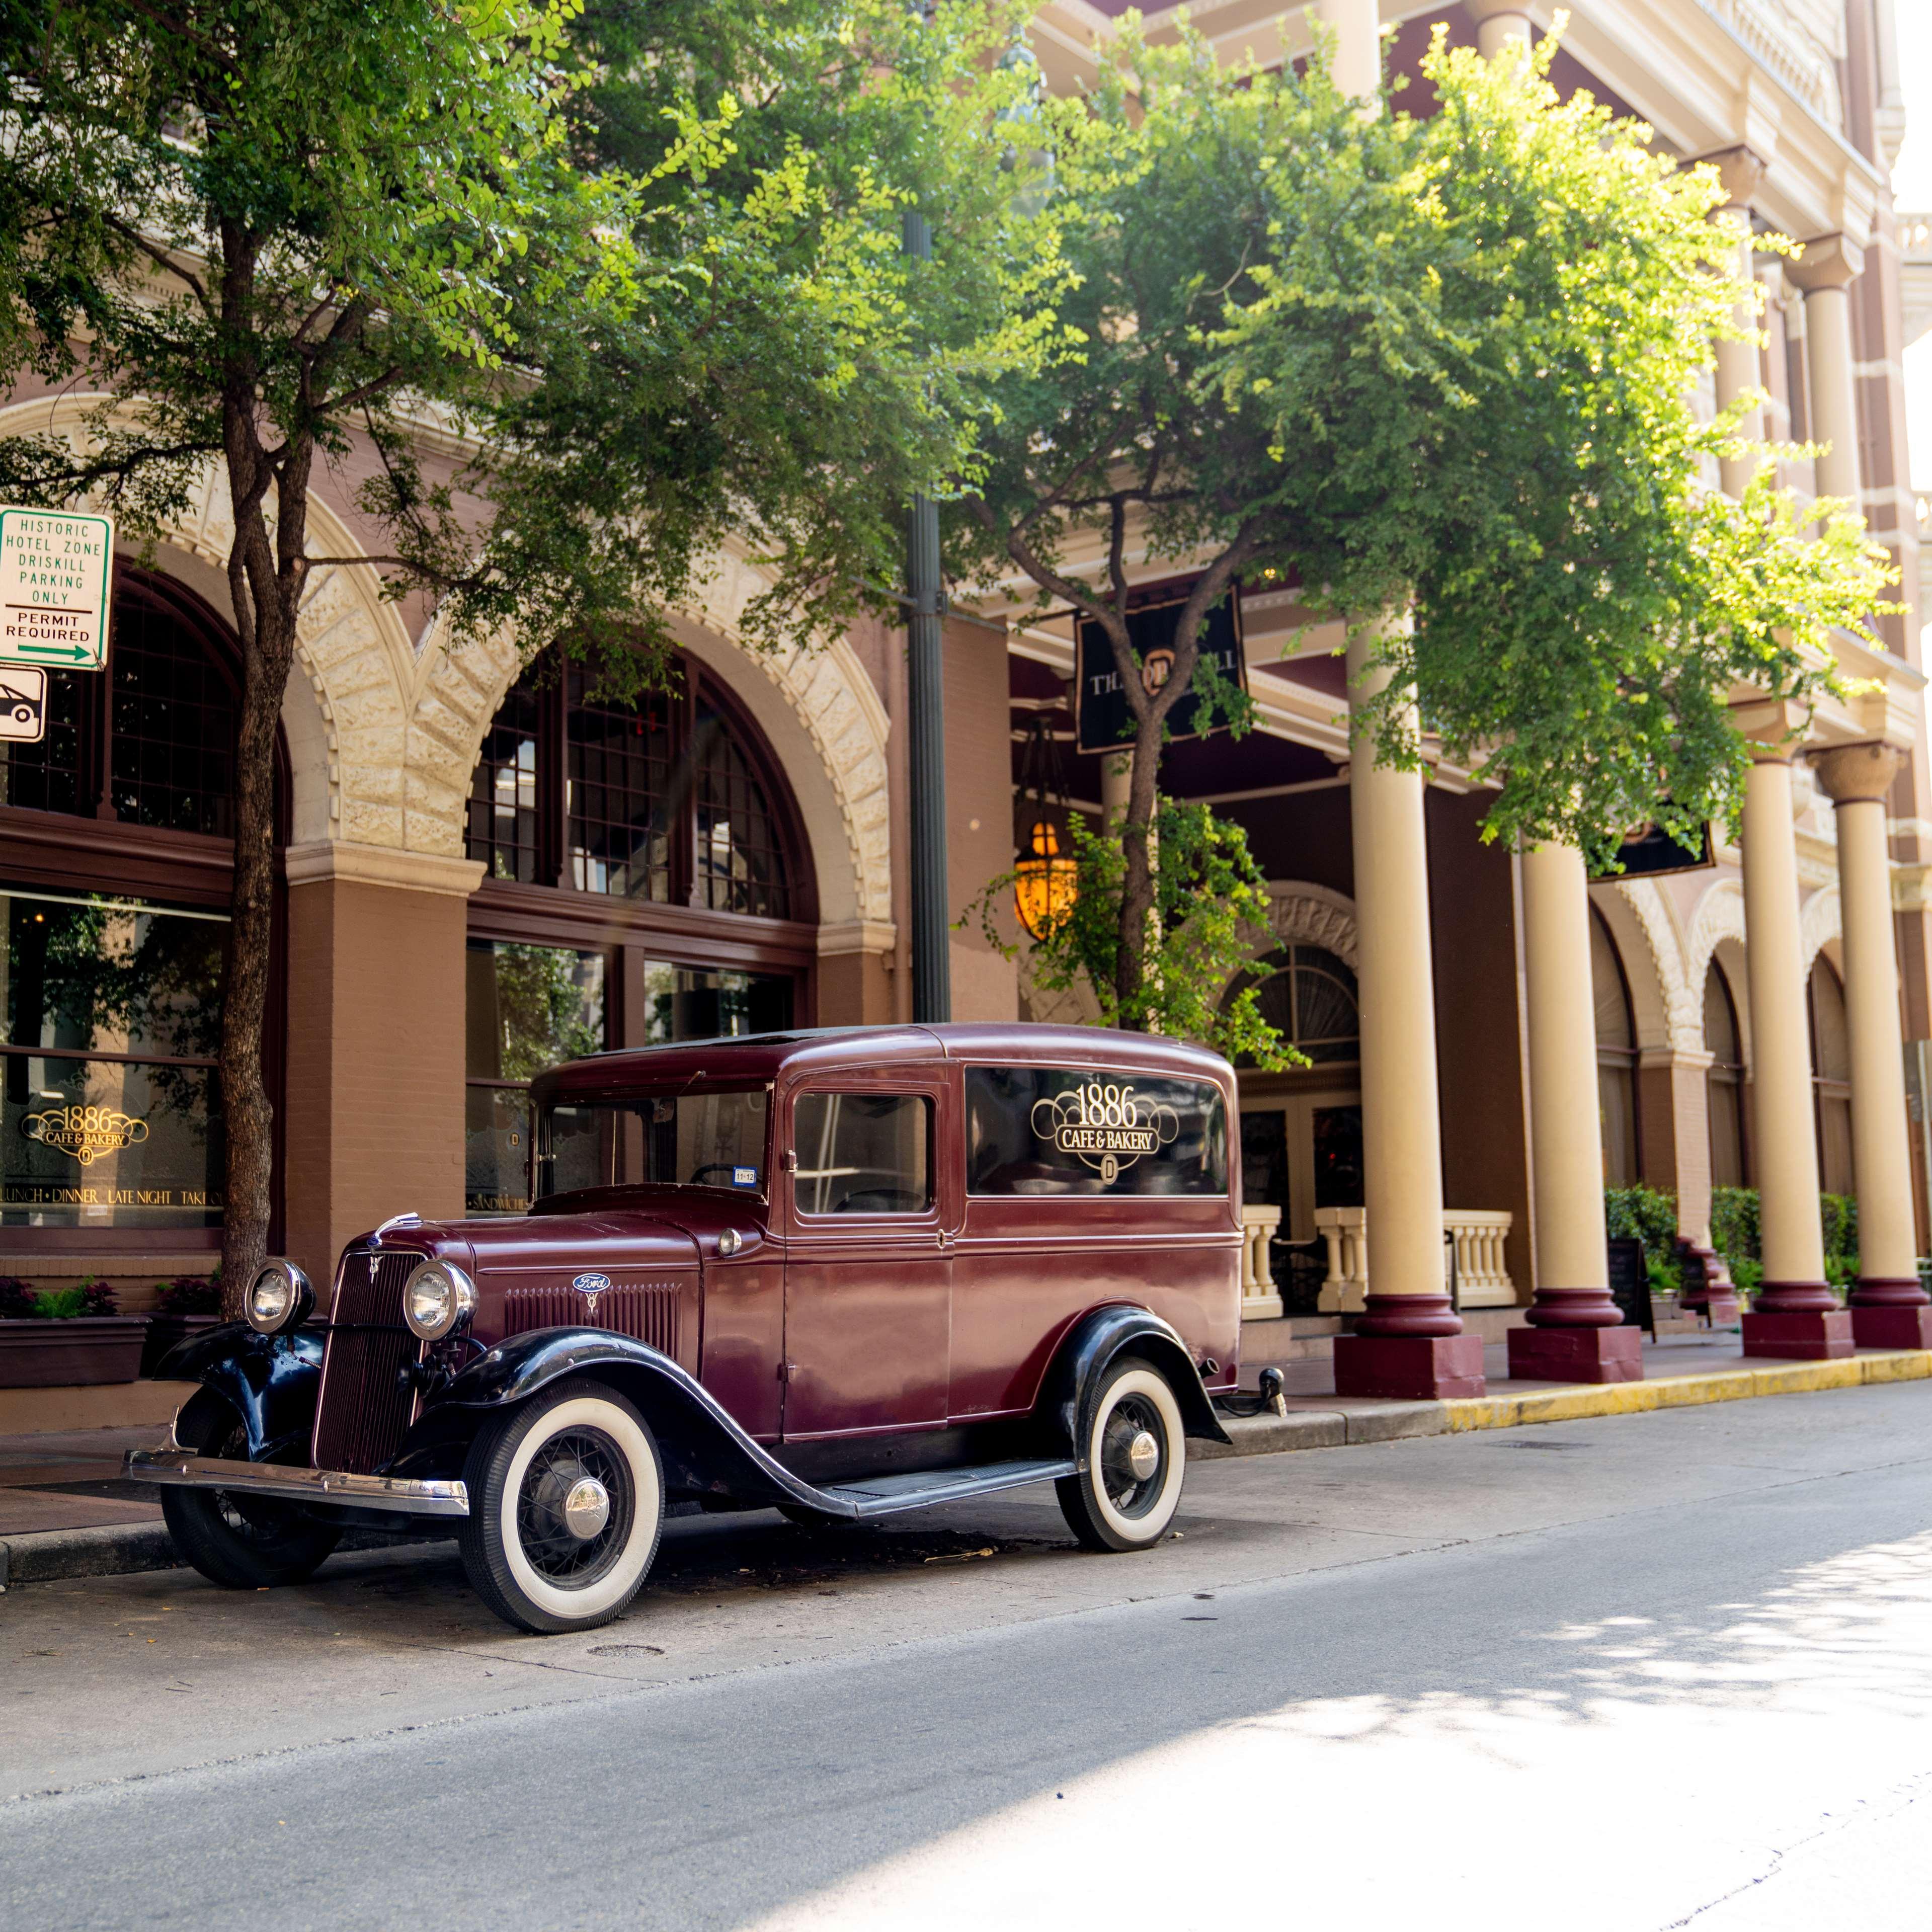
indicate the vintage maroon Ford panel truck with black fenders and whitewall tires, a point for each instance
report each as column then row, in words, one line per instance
column 841, row 1274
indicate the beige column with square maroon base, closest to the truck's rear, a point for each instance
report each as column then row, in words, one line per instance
column 1409, row 1340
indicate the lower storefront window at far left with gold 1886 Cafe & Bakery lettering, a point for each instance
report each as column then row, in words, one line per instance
column 111, row 1102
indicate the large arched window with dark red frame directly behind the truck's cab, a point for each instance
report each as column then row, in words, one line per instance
column 646, row 880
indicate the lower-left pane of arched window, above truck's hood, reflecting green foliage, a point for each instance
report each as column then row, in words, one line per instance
column 528, row 1008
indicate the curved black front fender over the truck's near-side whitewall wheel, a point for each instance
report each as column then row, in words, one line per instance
column 706, row 1452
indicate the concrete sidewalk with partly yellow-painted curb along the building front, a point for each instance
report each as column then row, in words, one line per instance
column 67, row 1512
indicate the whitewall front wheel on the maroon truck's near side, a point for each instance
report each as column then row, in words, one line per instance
column 567, row 1502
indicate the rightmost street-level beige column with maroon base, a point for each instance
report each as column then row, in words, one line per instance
column 1889, row 1309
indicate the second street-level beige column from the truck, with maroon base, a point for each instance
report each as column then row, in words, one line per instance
column 1576, row 1330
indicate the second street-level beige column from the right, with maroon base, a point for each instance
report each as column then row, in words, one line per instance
column 1796, row 1315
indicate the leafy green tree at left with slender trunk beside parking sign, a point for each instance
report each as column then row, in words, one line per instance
column 637, row 300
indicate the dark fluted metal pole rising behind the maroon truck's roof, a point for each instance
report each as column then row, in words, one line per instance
column 932, row 965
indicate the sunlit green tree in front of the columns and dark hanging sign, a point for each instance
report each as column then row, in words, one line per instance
column 1438, row 366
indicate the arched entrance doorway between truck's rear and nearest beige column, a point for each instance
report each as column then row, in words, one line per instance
column 1301, row 1133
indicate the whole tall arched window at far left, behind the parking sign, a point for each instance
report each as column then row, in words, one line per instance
column 115, row 880
